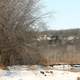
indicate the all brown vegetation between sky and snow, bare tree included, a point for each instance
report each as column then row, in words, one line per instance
column 18, row 37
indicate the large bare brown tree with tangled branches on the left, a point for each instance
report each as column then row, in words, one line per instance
column 17, row 28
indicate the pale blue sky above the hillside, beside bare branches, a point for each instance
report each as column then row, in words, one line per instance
column 66, row 13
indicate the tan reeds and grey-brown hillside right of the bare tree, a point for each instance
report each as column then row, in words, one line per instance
column 66, row 49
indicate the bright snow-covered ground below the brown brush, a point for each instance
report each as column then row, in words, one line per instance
column 37, row 72
